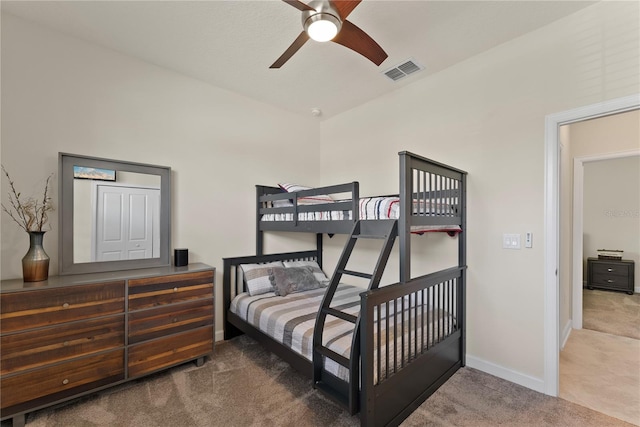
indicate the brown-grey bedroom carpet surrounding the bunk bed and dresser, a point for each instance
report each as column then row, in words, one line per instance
column 243, row 385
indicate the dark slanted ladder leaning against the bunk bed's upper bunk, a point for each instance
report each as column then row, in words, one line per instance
column 347, row 392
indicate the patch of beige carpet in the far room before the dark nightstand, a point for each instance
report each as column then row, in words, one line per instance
column 611, row 312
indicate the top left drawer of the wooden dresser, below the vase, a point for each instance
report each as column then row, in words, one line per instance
column 44, row 307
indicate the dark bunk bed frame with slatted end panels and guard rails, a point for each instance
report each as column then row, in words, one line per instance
column 427, row 353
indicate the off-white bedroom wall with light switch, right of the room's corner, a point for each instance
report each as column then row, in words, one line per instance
column 486, row 115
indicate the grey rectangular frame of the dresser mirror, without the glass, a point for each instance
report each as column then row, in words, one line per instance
column 66, row 263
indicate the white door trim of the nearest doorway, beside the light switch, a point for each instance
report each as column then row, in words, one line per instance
column 551, row 225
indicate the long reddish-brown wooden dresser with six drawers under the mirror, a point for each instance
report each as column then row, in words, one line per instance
column 73, row 335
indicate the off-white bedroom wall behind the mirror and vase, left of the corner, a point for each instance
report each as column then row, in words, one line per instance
column 60, row 94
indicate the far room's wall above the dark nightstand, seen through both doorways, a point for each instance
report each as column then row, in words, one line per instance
column 612, row 208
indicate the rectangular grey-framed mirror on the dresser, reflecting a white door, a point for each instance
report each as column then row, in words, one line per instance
column 113, row 215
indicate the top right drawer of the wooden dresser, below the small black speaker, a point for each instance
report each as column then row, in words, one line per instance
column 163, row 290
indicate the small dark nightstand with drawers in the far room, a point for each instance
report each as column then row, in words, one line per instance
column 610, row 274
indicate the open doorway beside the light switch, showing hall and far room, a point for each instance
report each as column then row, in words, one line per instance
column 599, row 184
